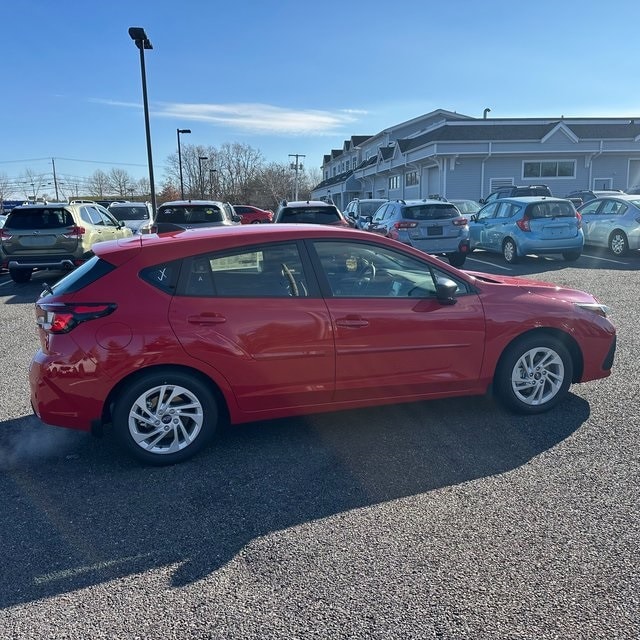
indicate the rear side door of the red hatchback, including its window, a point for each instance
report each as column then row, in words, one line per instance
column 255, row 315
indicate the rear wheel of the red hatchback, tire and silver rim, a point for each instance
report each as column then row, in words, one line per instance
column 189, row 422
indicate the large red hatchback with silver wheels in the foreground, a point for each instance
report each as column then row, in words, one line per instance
column 254, row 322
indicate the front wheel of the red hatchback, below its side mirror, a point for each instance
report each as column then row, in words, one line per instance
column 534, row 374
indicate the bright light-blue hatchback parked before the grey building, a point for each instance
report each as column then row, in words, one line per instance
column 516, row 227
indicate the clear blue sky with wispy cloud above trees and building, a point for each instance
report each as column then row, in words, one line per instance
column 293, row 77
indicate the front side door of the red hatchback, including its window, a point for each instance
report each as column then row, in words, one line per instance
column 393, row 338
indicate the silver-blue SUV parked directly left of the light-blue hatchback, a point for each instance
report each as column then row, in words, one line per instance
column 433, row 226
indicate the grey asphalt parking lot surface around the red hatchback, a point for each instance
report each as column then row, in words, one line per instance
column 448, row 519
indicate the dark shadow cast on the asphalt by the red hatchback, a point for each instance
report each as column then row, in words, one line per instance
column 76, row 512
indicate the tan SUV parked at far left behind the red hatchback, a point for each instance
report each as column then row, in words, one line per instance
column 54, row 236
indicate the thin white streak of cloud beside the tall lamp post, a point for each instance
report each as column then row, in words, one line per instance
column 254, row 117
